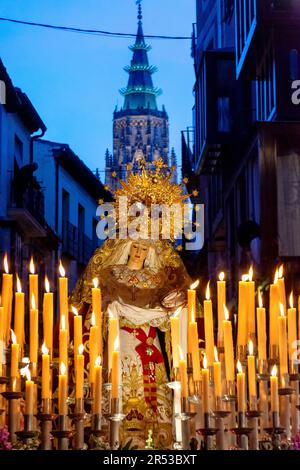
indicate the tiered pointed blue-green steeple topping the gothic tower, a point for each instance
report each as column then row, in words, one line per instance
column 140, row 92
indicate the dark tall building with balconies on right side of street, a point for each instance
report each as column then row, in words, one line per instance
column 245, row 134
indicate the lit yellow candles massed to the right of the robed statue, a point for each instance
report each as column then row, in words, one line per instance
column 285, row 327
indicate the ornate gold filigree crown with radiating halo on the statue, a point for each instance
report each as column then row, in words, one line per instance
column 154, row 202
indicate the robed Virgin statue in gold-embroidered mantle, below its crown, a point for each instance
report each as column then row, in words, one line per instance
column 142, row 283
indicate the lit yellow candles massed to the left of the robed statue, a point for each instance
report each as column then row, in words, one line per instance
column 17, row 336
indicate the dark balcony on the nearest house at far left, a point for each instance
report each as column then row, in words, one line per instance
column 27, row 208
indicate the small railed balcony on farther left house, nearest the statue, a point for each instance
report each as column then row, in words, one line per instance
column 76, row 245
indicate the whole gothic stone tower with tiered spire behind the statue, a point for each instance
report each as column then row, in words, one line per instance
column 140, row 129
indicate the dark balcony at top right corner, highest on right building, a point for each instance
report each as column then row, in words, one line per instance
column 254, row 21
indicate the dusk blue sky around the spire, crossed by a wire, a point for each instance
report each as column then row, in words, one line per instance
column 73, row 79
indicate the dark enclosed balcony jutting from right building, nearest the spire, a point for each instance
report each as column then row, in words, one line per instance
column 214, row 102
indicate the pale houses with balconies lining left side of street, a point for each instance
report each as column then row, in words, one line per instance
column 48, row 196
